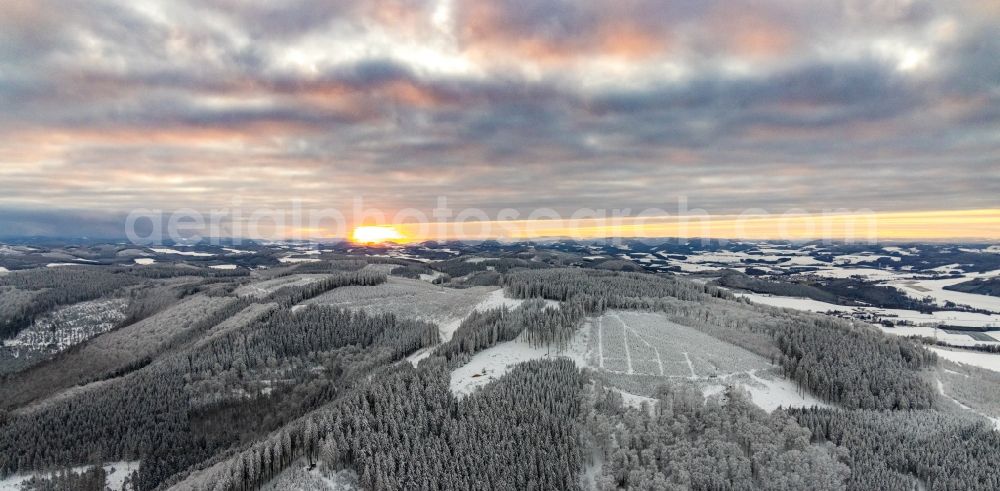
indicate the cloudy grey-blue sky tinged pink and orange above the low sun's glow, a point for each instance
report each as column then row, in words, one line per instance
column 727, row 106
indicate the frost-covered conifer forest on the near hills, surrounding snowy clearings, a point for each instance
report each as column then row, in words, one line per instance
column 227, row 382
